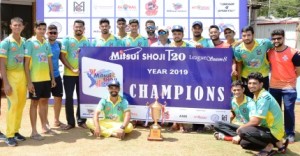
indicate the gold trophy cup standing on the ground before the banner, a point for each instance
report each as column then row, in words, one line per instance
column 155, row 129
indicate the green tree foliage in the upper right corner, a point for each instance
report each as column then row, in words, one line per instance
column 279, row 8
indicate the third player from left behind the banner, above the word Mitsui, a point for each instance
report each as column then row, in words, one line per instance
column 134, row 39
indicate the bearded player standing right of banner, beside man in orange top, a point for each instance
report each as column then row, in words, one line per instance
column 251, row 57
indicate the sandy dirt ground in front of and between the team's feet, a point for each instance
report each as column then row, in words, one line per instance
column 79, row 141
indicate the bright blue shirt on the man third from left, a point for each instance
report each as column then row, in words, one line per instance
column 55, row 58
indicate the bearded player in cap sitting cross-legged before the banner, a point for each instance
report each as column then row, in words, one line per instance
column 116, row 115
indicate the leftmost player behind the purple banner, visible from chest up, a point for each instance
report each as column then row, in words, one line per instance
column 106, row 39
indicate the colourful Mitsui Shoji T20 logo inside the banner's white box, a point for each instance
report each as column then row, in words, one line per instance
column 100, row 78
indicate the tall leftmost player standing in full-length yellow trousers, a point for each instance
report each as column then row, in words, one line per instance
column 12, row 50
